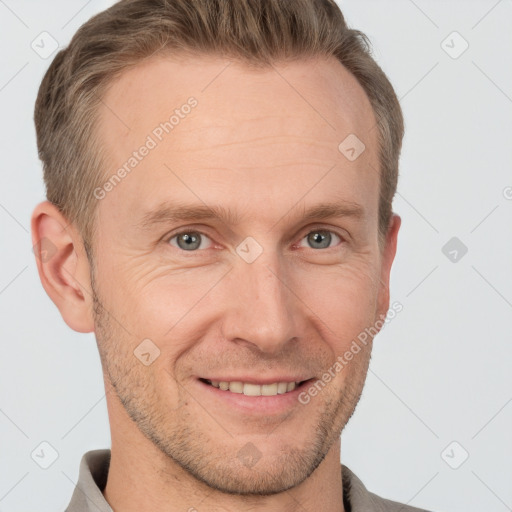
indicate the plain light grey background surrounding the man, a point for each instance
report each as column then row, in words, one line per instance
column 440, row 371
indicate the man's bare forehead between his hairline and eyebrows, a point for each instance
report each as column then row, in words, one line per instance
column 273, row 131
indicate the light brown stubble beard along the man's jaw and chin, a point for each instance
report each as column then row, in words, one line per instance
column 207, row 461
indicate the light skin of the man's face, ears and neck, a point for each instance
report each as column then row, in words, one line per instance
column 264, row 144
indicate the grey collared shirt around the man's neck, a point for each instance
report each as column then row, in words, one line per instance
column 92, row 478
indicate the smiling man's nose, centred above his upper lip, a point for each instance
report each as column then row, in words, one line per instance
column 263, row 309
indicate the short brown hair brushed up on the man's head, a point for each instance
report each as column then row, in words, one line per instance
column 259, row 33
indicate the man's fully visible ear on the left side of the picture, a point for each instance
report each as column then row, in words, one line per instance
column 63, row 266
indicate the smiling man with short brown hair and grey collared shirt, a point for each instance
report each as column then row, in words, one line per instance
column 219, row 178
